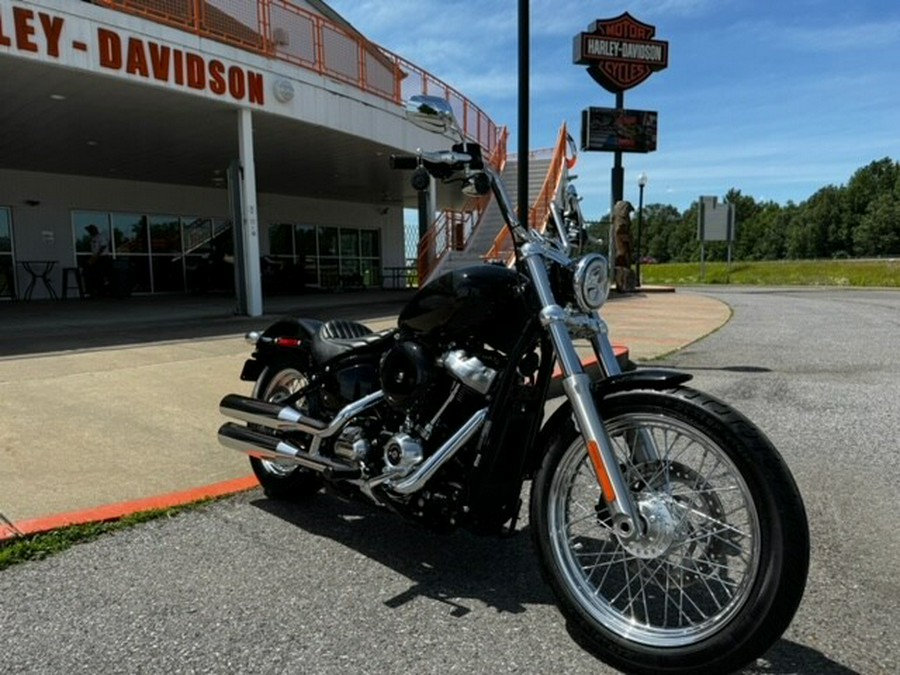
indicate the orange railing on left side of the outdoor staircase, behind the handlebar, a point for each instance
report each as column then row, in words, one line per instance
column 451, row 230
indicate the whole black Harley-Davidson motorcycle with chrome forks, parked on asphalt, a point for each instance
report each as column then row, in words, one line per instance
column 668, row 526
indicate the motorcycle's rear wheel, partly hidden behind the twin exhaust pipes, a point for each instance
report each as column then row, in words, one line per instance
column 284, row 481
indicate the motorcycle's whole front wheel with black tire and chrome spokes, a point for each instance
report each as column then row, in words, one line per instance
column 722, row 568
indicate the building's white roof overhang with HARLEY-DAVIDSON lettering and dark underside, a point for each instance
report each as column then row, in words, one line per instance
column 61, row 119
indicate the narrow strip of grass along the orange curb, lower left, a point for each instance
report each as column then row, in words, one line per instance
column 40, row 546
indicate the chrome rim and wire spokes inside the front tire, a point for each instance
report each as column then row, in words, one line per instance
column 693, row 569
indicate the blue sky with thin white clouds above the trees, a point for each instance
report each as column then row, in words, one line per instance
column 776, row 99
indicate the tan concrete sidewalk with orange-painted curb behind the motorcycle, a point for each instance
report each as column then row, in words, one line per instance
column 106, row 407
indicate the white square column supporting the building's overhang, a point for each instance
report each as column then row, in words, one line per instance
column 249, row 219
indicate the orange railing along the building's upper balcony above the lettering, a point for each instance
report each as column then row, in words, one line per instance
column 281, row 30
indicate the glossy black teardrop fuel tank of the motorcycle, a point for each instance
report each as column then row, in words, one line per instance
column 481, row 301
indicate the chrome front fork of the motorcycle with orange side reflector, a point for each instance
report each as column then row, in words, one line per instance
column 577, row 385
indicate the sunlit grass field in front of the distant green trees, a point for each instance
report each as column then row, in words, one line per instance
column 853, row 273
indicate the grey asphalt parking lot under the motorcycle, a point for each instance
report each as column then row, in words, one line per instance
column 251, row 585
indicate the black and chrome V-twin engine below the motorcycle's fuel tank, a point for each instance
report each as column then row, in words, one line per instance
column 428, row 398
